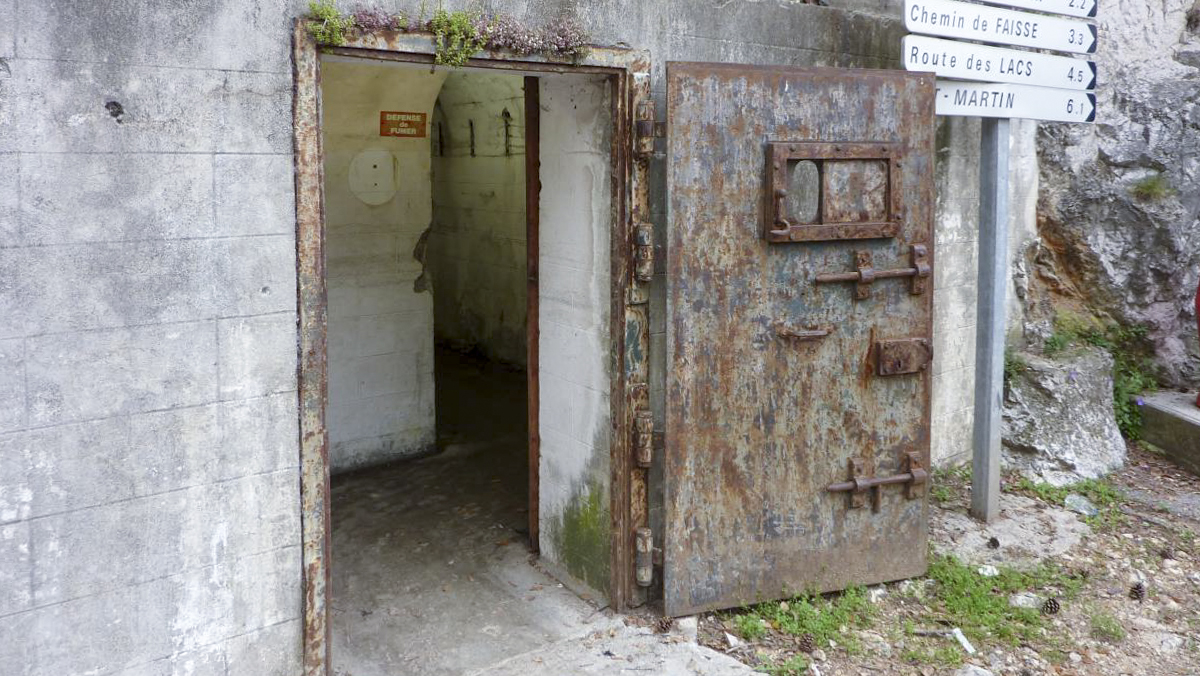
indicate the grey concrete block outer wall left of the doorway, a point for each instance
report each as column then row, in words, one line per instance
column 149, row 490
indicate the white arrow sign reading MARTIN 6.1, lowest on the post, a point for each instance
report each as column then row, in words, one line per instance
column 987, row 100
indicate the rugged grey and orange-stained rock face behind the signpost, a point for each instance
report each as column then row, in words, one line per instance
column 1119, row 208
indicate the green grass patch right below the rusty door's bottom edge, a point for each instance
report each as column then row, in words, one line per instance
column 811, row 614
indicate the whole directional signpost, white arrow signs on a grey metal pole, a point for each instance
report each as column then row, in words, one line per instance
column 999, row 83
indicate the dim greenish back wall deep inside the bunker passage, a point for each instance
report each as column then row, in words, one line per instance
column 477, row 256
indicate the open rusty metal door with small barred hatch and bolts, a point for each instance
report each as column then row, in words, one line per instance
column 800, row 306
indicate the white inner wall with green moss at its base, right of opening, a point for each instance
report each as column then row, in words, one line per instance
column 574, row 322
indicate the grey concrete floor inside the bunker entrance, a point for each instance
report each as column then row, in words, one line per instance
column 433, row 572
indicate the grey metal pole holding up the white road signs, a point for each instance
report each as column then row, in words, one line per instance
column 991, row 318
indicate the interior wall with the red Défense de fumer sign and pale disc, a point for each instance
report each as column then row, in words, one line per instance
column 381, row 327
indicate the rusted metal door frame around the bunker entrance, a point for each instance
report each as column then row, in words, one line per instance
column 628, row 74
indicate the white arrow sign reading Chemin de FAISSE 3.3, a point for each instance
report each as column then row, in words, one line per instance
column 950, row 19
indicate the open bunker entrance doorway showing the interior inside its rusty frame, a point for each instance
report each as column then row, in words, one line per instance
column 467, row 238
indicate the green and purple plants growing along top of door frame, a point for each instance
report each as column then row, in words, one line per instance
column 457, row 35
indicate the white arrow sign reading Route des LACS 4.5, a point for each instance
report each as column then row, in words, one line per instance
column 968, row 61
